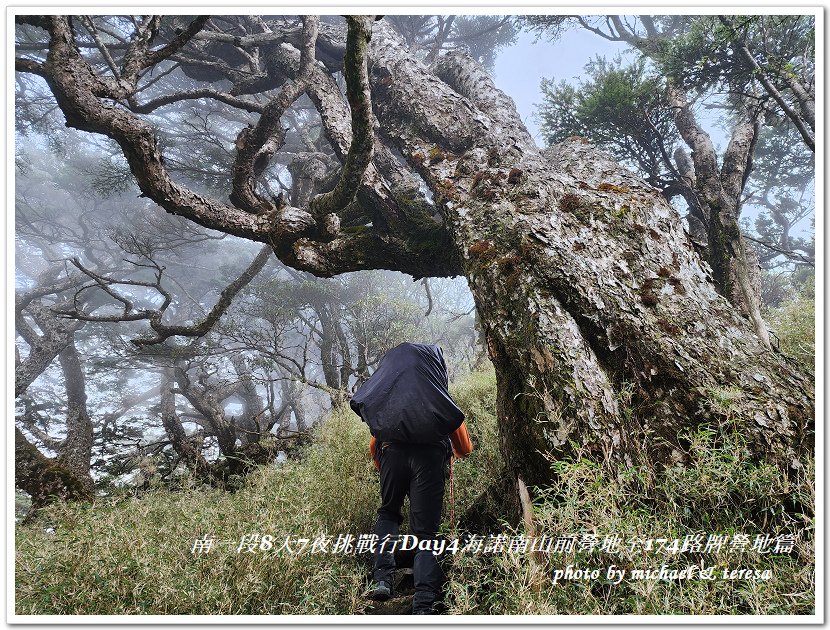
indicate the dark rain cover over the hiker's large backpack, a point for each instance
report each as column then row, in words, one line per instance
column 406, row 399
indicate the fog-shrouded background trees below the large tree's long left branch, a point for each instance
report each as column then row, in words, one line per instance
column 124, row 282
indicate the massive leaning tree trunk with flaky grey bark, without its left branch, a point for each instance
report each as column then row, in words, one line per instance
column 586, row 285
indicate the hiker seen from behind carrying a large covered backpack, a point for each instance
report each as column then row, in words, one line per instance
column 416, row 428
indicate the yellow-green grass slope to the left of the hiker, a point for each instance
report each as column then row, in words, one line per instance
column 134, row 555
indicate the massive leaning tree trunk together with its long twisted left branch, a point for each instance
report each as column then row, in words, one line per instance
column 588, row 290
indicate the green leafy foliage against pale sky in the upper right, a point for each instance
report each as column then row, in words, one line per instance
column 624, row 109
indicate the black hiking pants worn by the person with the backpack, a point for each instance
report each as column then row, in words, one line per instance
column 417, row 470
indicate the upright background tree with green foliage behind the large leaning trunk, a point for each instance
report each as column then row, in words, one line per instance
column 680, row 71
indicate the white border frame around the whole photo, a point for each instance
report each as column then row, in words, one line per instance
column 483, row 7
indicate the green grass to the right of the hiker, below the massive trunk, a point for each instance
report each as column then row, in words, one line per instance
column 718, row 492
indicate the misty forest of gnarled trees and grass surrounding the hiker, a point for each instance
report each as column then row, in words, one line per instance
column 222, row 223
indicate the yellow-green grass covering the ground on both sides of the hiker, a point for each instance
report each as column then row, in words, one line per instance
column 132, row 555
